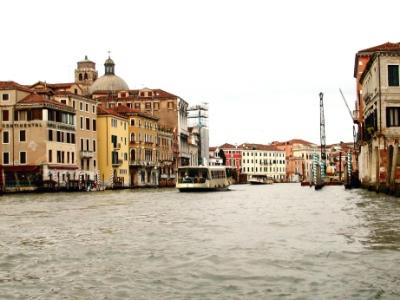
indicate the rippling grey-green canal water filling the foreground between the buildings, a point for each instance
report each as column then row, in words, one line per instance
column 279, row 241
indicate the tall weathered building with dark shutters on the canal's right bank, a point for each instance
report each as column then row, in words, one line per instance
column 378, row 87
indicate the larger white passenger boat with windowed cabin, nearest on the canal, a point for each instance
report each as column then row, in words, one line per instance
column 202, row 178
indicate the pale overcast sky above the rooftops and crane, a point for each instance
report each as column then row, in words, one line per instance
column 259, row 64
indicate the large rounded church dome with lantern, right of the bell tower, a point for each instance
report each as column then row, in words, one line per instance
column 109, row 81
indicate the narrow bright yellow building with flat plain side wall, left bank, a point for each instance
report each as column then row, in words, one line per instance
column 113, row 147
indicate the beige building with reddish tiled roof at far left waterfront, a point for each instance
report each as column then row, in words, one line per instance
column 38, row 139
